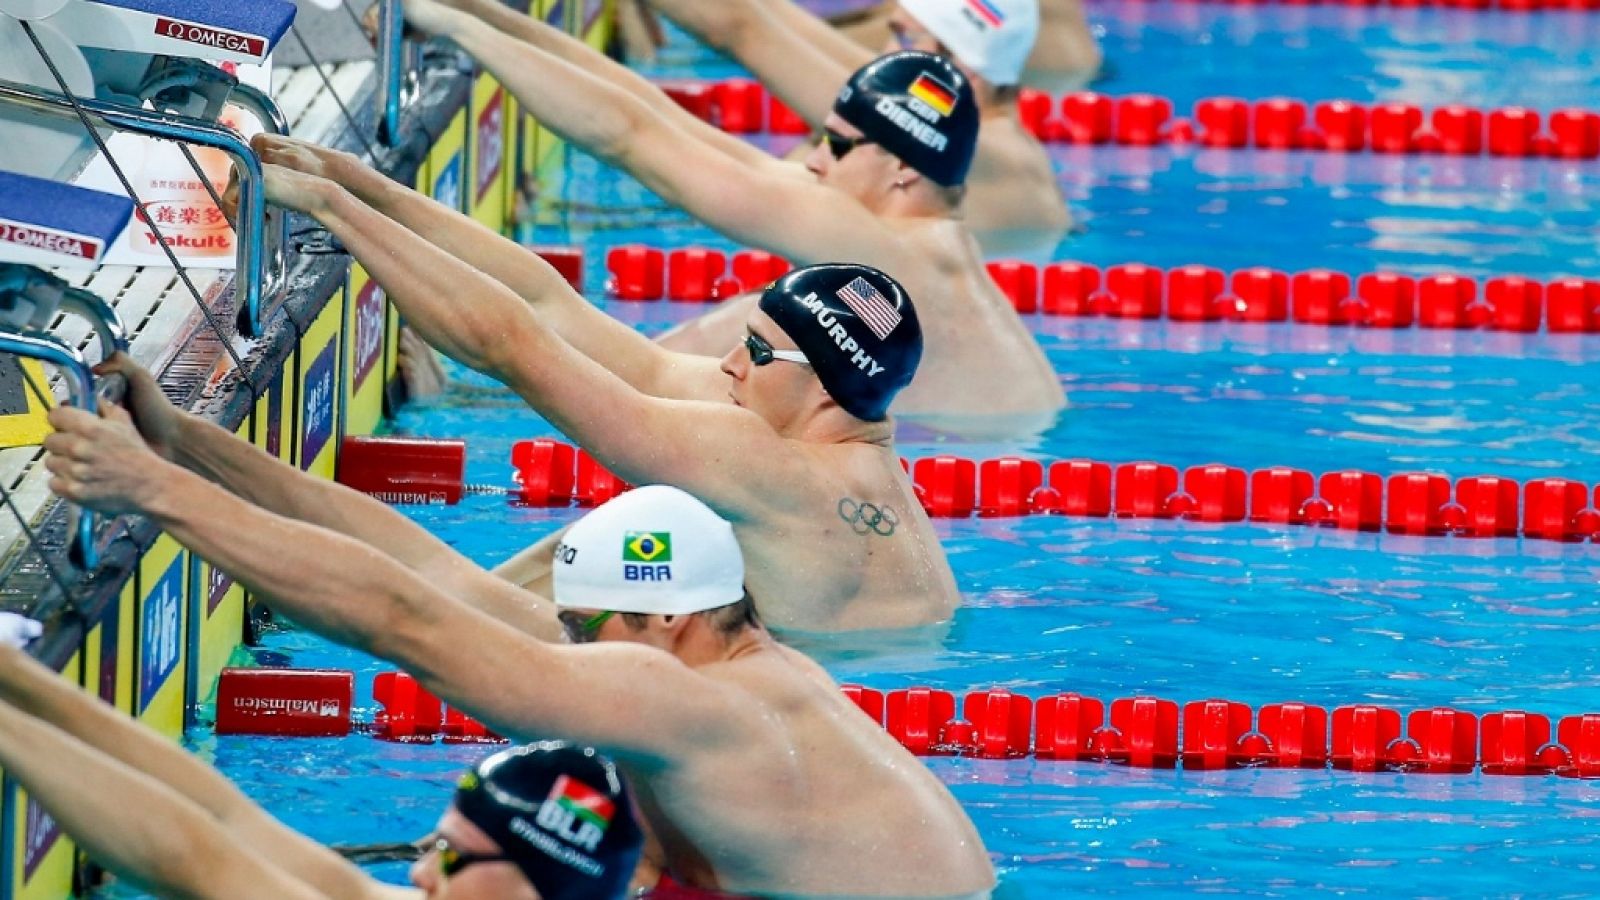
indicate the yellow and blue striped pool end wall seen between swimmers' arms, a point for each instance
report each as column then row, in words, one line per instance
column 158, row 625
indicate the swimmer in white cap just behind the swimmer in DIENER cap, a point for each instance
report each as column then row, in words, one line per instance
column 1014, row 201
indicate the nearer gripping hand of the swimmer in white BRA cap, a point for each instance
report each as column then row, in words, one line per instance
column 100, row 462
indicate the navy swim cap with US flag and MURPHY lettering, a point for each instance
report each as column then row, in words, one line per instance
column 855, row 326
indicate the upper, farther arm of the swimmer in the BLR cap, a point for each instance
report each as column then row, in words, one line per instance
column 44, row 696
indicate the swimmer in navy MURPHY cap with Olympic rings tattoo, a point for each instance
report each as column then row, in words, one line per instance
column 790, row 436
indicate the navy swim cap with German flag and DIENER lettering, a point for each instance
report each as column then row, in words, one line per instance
column 919, row 108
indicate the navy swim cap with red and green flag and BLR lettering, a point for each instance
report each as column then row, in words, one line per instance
column 562, row 814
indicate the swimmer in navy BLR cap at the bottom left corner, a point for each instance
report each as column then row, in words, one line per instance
column 161, row 818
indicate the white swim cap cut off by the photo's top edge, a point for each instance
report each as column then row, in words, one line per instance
column 991, row 38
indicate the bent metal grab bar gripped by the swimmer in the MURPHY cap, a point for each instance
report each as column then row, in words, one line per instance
column 250, row 225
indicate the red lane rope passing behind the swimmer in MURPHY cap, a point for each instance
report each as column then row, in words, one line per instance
column 554, row 475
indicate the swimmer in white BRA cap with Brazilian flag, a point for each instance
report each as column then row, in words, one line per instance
column 753, row 773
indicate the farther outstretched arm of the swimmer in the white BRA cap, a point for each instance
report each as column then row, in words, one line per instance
column 273, row 484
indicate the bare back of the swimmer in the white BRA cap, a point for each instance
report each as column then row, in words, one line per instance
column 862, row 816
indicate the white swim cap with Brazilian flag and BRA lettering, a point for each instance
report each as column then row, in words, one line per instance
column 654, row 550
